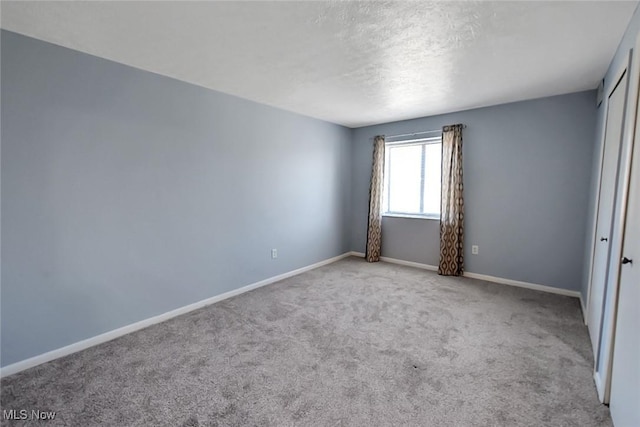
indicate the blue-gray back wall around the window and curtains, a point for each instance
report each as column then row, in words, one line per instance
column 527, row 171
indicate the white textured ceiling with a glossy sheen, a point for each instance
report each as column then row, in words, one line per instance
column 349, row 62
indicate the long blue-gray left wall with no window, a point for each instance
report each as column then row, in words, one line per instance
column 126, row 194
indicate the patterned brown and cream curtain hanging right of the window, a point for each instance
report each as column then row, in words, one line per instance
column 452, row 204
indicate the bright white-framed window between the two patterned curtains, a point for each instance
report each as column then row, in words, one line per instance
column 412, row 178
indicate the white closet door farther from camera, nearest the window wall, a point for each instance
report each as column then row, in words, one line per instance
column 606, row 203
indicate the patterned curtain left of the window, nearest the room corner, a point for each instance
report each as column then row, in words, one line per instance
column 374, row 229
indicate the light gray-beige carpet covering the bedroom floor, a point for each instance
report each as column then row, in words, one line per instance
column 350, row 343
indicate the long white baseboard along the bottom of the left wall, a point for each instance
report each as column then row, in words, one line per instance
column 116, row 333
